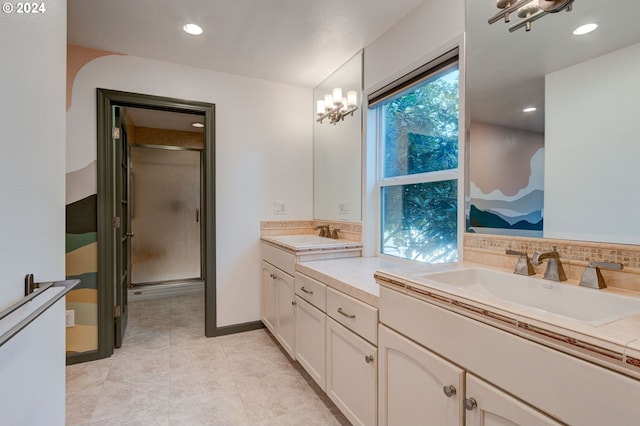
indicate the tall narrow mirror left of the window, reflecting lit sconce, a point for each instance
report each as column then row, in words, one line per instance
column 337, row 149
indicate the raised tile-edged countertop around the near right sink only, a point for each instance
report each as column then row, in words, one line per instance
column 615, row 344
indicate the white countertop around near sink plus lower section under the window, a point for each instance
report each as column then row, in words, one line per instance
column 614, row 345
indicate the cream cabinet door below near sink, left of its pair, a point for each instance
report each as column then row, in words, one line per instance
column 412, row 383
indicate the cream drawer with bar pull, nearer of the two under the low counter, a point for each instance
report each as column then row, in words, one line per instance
column 353, row 314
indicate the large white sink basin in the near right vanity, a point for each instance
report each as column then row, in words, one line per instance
column 589, row 306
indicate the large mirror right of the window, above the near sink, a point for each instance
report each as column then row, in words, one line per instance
column 568, row 169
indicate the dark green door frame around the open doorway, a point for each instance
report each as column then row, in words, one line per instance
column 106, row 187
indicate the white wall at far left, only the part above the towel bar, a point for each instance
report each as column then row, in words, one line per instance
column 32, row 132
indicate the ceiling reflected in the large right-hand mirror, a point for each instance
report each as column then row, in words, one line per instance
column 505, row 71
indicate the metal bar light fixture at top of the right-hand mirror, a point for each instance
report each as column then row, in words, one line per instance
column 528, row 10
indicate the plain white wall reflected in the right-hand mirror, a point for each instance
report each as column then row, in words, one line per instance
column 592, row 150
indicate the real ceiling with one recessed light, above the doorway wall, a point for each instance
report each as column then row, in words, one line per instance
column 297, row 42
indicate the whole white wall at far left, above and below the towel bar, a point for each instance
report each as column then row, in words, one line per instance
column 32, row 210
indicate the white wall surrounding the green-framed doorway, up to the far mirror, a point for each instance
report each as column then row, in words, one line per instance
column 263, row 154
